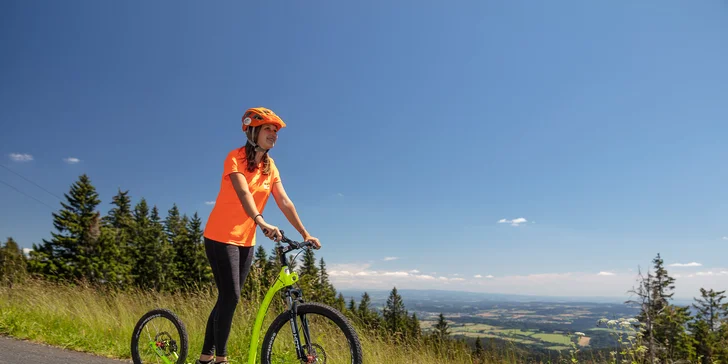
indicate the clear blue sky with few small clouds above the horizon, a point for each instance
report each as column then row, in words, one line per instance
column 413, row 130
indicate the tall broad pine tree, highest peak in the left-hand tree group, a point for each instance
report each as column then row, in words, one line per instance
column 72, row 252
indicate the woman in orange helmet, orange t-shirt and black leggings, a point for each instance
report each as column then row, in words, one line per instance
column 248, row 178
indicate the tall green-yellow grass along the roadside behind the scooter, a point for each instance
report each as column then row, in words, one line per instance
column 84, row 319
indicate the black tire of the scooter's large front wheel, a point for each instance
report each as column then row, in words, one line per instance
column 317, row 308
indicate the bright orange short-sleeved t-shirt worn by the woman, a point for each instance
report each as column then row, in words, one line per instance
column 228, row 222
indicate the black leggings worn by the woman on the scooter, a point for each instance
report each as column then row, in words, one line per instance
column 230, row 266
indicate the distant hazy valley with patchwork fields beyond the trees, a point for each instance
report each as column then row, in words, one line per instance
column 546, row 323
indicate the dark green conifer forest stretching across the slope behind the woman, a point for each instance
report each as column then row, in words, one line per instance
column 133, row 246
